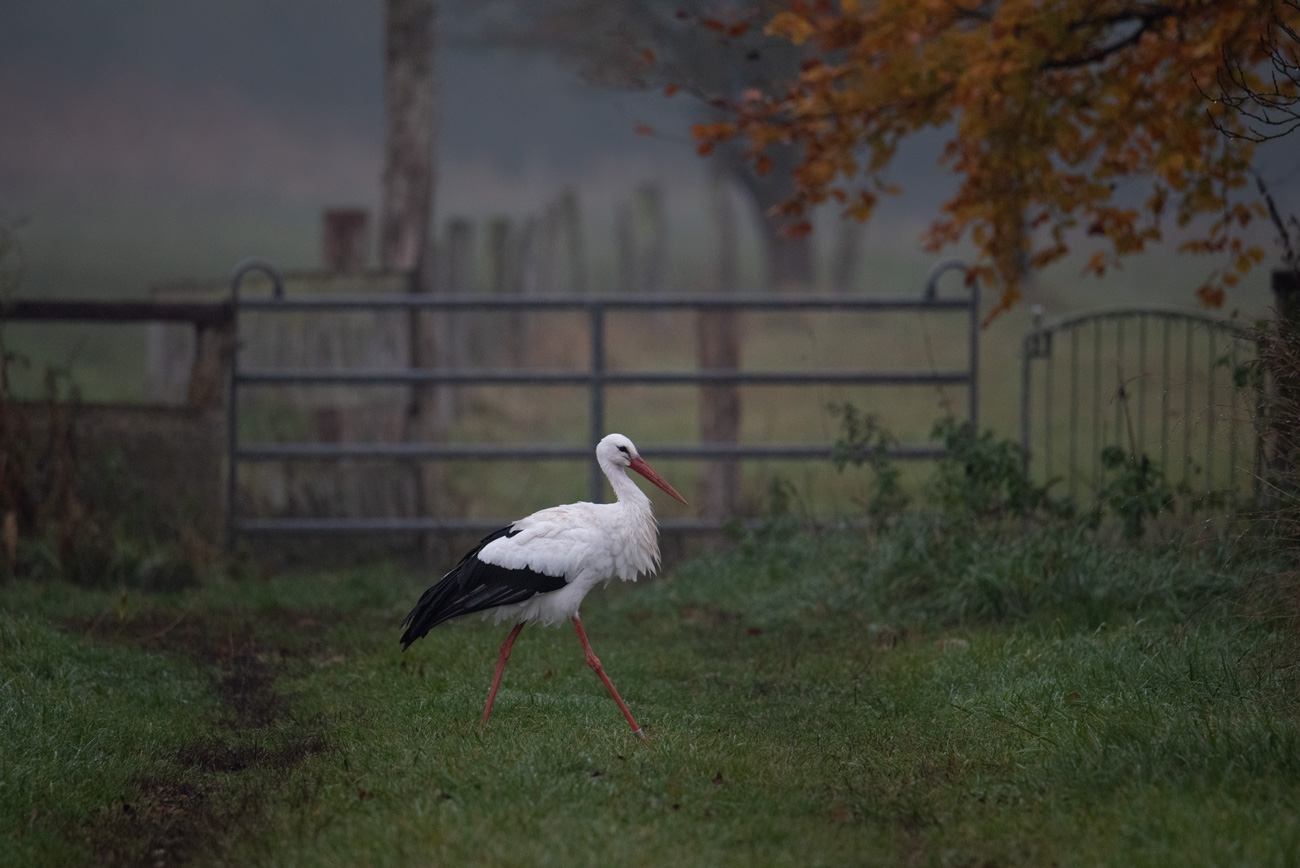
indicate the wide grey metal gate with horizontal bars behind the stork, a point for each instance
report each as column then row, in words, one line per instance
column 597, row 379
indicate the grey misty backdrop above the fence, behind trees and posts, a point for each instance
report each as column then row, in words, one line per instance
column 148, row 141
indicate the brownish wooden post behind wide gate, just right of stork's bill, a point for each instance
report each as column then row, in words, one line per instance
column 720, row 350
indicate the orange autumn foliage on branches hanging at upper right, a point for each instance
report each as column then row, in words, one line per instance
column 1060, row 115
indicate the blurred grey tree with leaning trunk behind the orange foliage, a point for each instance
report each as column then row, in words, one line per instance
column 716, row 53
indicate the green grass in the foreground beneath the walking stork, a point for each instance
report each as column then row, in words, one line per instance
column 924, row 696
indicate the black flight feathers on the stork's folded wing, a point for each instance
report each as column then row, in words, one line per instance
column 475, row 587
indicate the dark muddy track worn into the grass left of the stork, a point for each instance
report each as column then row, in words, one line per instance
column 213, row 792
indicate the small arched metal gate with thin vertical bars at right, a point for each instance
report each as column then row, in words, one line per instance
column 1158, row 383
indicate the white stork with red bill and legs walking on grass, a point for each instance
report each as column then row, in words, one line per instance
column 541, row 567
